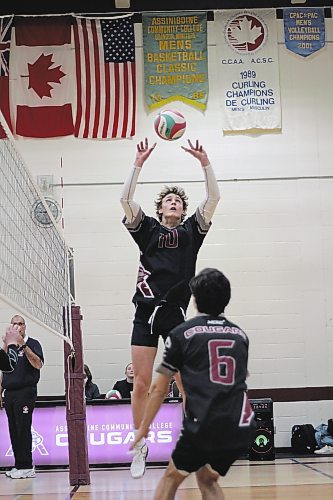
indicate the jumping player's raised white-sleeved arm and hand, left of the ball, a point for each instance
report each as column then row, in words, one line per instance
column 130, row 207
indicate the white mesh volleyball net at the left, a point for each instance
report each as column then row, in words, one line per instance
column 34, row 259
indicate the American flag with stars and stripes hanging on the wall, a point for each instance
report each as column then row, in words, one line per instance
column 106, row 79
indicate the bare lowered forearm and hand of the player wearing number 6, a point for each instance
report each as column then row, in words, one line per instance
column 157, row 394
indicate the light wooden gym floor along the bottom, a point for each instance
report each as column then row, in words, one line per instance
column 284, row 478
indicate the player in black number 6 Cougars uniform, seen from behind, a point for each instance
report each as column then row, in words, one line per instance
column 211, row 353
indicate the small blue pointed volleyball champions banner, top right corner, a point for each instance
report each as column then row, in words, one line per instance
column 304, row 30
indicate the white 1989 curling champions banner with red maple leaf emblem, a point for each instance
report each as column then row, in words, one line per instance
column 249, row 69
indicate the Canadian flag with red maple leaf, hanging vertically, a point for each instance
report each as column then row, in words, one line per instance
column 42, row 77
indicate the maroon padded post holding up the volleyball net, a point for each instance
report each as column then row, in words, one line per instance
column 79, row 473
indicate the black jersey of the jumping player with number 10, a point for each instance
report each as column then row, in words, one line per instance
column 167, row 257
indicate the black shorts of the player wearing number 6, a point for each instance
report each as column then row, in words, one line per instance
column 190, row 457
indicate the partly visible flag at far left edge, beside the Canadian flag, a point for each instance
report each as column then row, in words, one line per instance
column 5, row 32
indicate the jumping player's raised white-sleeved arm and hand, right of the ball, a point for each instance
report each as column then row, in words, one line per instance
column 208, row 205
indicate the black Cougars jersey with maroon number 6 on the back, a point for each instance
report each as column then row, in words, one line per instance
column 211, row 354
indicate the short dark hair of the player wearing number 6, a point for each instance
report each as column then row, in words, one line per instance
column 211, row 290
